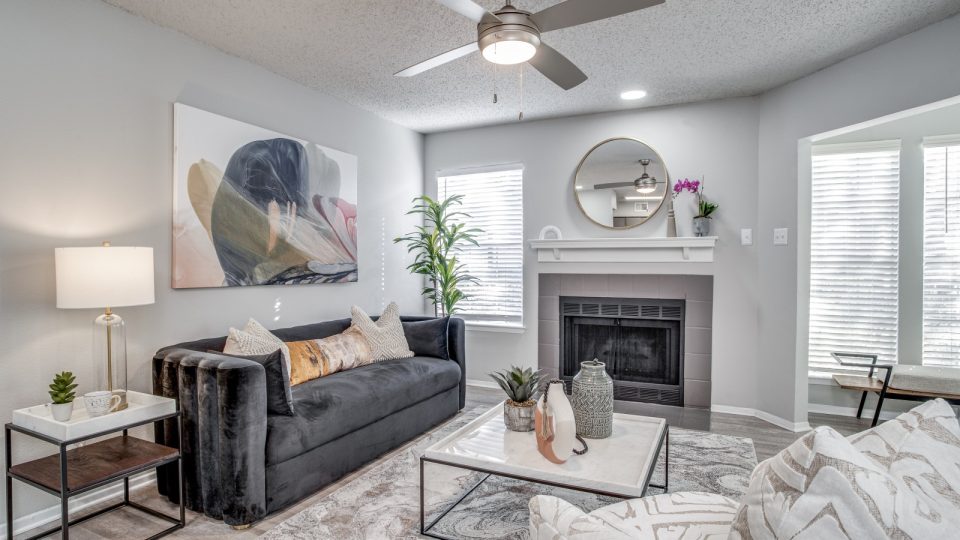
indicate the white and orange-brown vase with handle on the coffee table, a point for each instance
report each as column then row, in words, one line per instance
column 555, row 424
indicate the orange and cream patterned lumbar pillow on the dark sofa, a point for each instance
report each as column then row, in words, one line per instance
column 316, row 358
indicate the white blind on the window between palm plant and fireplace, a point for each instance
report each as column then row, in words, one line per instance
column 493, row 198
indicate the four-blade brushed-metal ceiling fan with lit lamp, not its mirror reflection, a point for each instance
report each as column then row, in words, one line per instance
column 512, row 36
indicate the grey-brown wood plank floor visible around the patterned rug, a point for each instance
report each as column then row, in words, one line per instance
column 767, row 438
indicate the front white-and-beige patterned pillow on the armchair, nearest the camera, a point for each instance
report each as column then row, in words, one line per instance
column 821, row 486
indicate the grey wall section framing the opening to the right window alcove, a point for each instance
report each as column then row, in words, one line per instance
column 914, row 70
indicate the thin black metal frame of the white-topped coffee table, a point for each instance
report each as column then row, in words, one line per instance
column 663, row 445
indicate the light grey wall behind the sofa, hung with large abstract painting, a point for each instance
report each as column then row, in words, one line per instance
column 86, row 146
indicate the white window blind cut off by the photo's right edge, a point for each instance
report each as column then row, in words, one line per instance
column 941, row 252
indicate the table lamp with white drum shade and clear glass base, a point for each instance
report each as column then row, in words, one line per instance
column 106, row 277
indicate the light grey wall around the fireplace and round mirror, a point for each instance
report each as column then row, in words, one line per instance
column 717, row 139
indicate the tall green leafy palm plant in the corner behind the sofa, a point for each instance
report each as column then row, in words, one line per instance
column 437, row 243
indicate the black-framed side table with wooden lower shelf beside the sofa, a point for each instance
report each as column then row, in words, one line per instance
column 78, row 470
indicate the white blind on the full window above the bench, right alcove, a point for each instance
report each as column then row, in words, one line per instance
column 854, row 252
